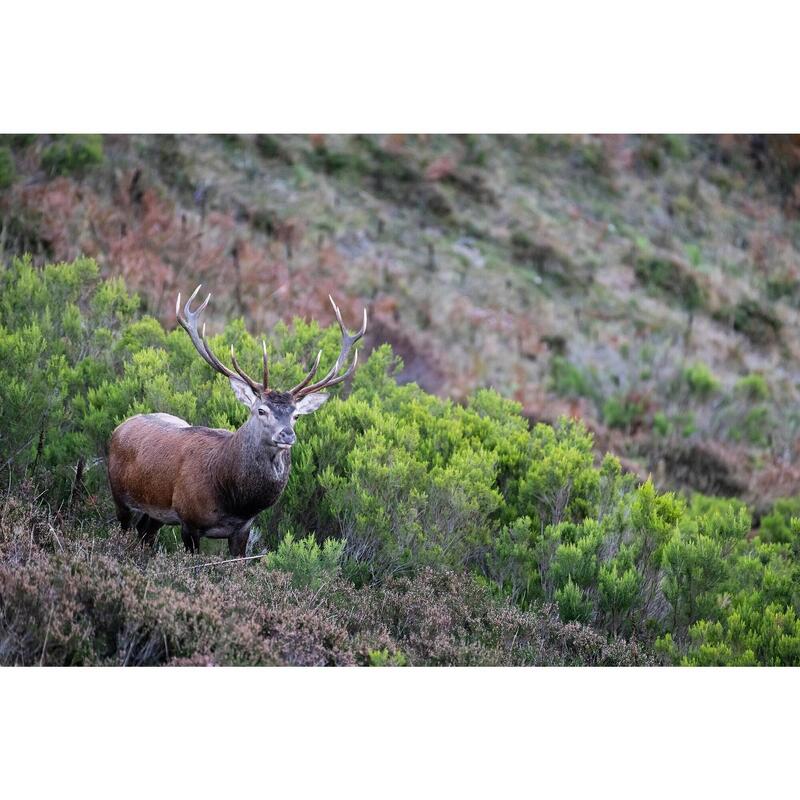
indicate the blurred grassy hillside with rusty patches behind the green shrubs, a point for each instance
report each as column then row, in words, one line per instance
column 646, row 284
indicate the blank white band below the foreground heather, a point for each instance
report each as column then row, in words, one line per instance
column 399, row 732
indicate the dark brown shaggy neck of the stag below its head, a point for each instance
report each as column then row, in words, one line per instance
column 252, row 471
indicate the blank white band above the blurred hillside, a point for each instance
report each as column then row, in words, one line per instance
column 419, row 65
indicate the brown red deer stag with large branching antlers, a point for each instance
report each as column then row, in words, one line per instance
column 211, row 481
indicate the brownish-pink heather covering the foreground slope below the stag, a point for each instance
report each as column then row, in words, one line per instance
column 74, row 594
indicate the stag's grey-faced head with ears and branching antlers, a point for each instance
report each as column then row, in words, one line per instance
column 273, row 412
